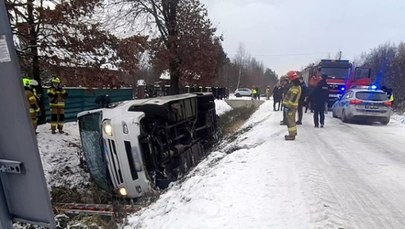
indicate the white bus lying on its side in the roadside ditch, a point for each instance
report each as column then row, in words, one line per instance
column 139, row 145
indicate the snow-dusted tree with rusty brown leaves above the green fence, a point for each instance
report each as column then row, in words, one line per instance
column 55, row 35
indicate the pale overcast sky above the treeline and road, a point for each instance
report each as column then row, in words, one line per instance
column 289, row 34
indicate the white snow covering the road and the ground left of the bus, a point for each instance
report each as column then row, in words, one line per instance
column 341, row 176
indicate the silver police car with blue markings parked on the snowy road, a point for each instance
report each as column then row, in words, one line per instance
column 363, row 104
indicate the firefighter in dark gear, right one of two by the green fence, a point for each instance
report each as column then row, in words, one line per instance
column 57, row 97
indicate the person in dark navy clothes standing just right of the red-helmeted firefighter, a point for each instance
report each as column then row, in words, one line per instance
column 319, row 98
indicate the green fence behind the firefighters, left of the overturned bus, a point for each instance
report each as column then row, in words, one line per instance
column 81, row 99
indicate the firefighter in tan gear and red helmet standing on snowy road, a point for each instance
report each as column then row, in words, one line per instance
column 290, row 104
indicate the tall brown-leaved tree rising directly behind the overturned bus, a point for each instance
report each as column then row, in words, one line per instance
column 186, row 44
